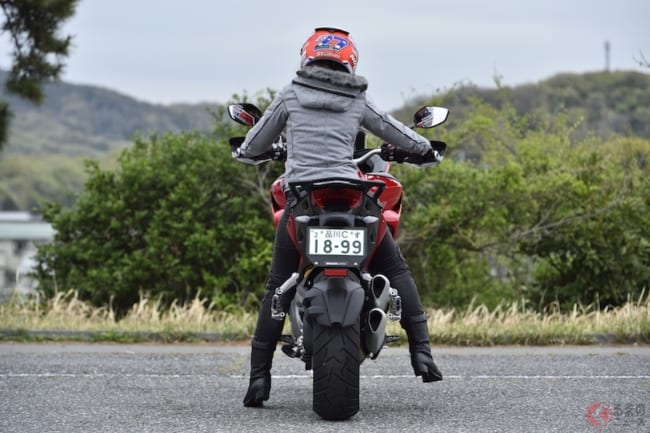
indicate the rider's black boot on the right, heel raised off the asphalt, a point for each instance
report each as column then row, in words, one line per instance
column 418, row 335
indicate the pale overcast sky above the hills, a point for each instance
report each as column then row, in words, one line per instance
column 167, row 51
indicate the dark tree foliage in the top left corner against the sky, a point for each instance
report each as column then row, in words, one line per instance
column 39, row 50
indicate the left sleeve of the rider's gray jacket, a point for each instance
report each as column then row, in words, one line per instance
column 260, row 137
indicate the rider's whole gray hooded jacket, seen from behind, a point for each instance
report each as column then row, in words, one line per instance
column 321, row 112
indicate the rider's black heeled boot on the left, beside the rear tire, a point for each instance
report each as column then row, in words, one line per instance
column 259, row 386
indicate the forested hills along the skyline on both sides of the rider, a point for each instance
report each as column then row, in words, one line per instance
column 81, row 120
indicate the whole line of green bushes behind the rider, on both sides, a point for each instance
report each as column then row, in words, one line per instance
column 533, row 210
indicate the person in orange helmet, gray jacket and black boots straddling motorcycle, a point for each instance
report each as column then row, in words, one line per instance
column 320, row 112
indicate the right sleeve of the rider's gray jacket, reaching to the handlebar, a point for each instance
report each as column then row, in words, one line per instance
column 392, row 131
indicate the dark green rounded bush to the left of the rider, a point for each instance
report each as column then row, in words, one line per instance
column 177, row 217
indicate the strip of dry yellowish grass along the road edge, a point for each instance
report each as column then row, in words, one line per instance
column 35, row 318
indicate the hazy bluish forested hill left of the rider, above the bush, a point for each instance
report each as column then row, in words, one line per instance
column 82, row 120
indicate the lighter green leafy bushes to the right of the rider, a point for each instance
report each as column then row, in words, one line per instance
column 541, row 215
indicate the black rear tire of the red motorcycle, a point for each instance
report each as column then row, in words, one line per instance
column 336, row 368
